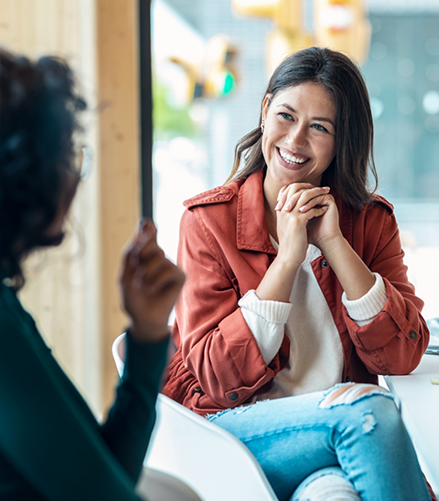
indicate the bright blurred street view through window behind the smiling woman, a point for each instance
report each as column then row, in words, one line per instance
column 399, row 55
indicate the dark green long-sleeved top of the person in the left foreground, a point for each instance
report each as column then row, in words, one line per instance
column 51, row 446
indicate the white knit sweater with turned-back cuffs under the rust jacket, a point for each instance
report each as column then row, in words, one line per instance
column 316, row 356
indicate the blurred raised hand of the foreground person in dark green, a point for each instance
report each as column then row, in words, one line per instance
column 150, row 285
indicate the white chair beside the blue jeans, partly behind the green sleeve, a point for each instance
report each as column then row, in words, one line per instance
column 210, row 460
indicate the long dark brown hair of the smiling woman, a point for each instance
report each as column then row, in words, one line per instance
column 348, row 172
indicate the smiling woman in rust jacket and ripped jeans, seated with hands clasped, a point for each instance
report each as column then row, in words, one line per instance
column 297, row 295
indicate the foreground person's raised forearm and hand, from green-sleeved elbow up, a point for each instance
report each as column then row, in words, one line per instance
column 150, row 285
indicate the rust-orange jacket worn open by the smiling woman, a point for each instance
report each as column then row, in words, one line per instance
column 225, row 250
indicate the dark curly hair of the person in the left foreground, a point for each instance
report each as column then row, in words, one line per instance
column 38, row 120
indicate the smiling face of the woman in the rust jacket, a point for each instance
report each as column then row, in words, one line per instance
column 298, row 142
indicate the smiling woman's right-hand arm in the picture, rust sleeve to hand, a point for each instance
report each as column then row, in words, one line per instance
column 394, row 341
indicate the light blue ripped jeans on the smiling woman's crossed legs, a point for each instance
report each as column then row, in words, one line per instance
column 361, row 432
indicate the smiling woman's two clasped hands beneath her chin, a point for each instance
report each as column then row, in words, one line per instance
column 306, row 214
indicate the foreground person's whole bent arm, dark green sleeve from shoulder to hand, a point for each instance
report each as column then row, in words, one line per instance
column 48, row 433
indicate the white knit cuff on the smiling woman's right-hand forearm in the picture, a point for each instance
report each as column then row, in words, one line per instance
column 363, row 310
